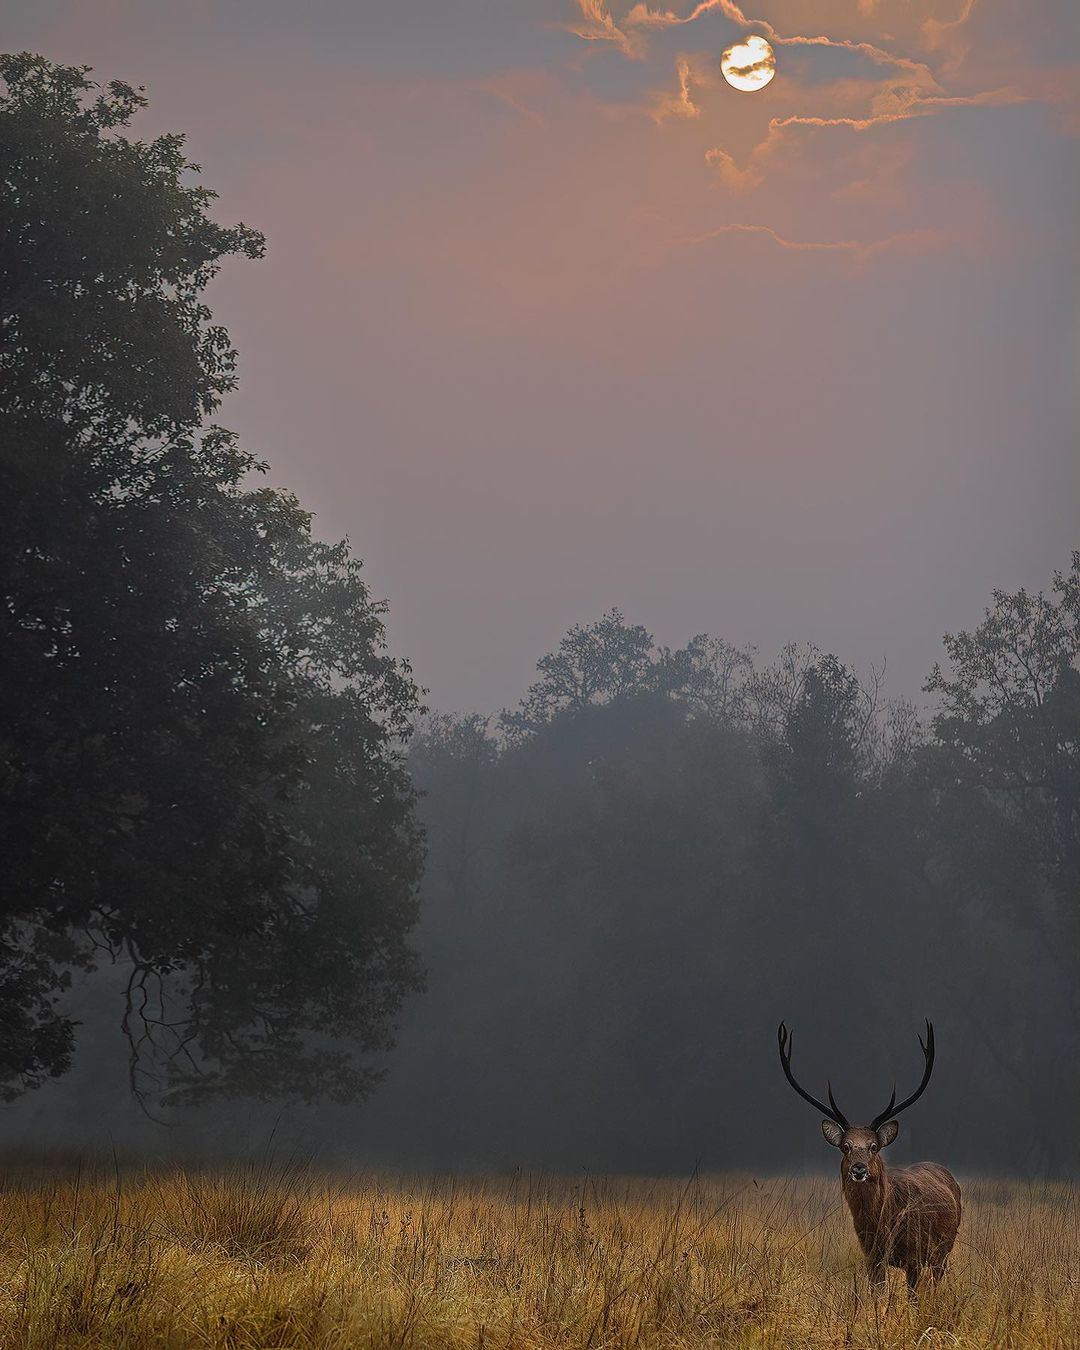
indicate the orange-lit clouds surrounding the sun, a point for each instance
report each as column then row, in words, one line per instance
column 900, row 90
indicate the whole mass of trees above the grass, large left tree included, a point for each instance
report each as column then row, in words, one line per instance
column 219, row 792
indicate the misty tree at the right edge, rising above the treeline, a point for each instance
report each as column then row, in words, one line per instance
column 1005, row 769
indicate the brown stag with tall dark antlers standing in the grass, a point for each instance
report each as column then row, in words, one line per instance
column 904, row 1217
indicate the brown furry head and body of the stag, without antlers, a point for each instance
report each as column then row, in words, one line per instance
column 905, row 1217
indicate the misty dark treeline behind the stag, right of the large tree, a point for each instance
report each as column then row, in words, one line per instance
column 659, row 854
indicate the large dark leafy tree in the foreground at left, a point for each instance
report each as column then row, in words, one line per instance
column 199, row 720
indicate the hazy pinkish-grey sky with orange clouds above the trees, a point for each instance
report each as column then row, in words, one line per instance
column 554, row 321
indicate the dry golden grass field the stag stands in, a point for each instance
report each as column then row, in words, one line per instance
column 276, row 1256
